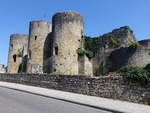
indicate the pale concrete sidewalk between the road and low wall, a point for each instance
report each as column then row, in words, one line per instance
column 97, row 102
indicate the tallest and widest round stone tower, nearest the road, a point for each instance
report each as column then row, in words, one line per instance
column 67, row 30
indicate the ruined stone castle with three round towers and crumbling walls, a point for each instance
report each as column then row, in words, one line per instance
column 61, row 47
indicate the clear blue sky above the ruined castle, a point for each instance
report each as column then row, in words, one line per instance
column 101, row 16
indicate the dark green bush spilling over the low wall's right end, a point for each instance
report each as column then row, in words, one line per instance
column 137, row 74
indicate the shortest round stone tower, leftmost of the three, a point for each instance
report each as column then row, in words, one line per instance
column 17, row 50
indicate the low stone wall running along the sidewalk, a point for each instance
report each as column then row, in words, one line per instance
column 114, row 87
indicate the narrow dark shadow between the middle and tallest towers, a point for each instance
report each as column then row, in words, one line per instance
column 48, row 51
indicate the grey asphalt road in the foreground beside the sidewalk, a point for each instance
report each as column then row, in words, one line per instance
column 12, row 101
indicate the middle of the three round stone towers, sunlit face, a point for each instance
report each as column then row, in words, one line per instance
column 38, row 34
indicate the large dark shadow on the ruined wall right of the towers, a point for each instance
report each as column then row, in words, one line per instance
column 111, row 61
